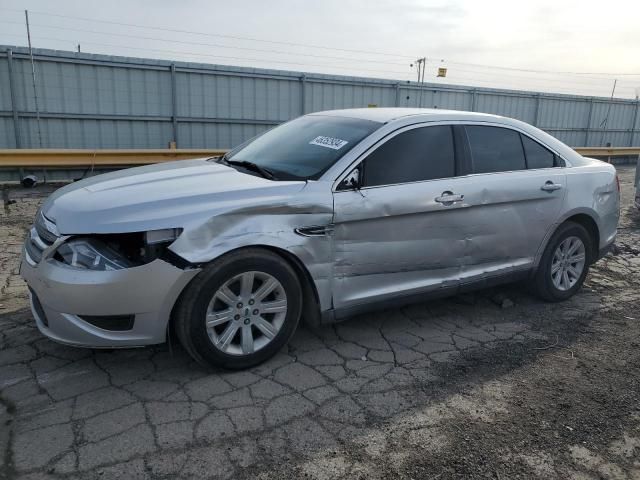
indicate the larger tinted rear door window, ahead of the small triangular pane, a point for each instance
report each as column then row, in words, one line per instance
column 495, row 149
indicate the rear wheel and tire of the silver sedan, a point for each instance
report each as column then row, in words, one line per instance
column 549, row 282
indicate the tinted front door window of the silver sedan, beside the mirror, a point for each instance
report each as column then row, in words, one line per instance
column 424, row 153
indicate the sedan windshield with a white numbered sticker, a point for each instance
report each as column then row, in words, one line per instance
column 304, row 148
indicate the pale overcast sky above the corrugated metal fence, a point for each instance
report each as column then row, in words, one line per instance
column 491, row 43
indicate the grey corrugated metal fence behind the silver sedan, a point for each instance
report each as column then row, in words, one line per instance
column 98, row 101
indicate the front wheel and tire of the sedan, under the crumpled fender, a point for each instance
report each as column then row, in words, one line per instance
column 213, row 331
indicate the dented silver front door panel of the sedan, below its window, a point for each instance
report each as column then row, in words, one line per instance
column 398, row 239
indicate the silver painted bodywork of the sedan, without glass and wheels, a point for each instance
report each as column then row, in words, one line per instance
column 380, row 243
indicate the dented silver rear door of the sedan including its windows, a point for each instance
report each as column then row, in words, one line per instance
column 513, row 200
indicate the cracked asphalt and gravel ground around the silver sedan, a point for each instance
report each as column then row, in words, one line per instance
column 493, row 385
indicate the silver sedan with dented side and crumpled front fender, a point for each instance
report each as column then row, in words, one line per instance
column 328, row 215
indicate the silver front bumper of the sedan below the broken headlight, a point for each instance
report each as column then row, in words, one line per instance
column 60, row 295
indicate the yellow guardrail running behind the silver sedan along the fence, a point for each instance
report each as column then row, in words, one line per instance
column 55, row 158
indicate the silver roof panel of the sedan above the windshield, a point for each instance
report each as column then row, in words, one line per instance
column 386, row 115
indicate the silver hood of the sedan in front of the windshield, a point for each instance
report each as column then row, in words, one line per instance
column 168, row 195
